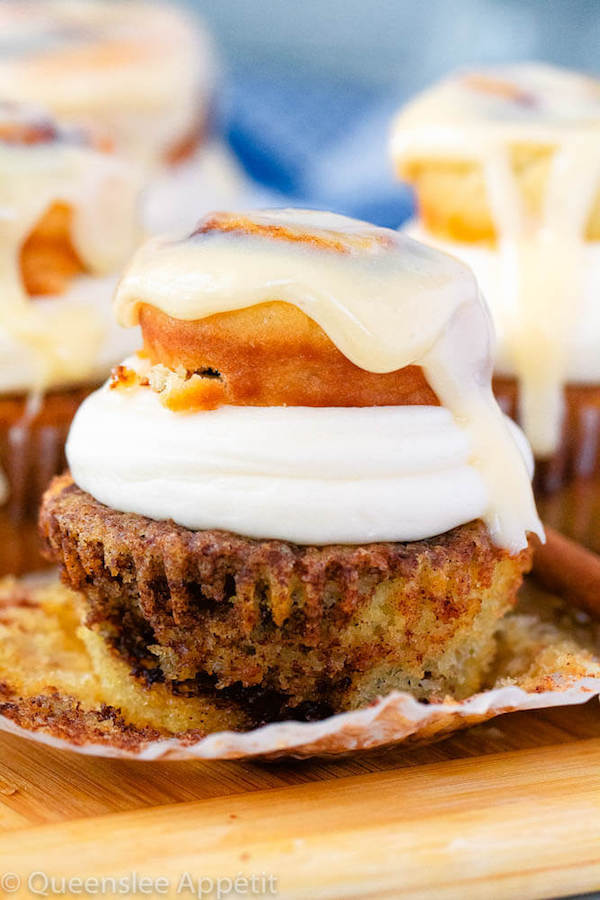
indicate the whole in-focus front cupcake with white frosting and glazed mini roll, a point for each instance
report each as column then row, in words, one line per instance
column 301, row 493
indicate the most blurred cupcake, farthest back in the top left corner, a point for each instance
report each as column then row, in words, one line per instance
column 142, row 73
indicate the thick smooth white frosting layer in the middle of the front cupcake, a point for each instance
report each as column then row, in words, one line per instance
column 307, row 475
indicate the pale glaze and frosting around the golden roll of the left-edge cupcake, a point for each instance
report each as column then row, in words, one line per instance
column 56, row 341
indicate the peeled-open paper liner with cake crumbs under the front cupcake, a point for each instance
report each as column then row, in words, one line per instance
column 59, row 686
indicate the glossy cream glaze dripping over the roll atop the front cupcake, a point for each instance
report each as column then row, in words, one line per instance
column 384, row 300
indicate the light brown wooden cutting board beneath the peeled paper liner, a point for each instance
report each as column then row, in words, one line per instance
column 508, row 809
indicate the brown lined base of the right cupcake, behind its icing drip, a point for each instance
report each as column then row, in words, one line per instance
column 578, row 455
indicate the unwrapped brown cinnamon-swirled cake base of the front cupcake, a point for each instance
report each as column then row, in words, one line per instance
column 334, row 626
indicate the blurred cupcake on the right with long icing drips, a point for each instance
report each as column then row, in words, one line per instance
column 505, row 163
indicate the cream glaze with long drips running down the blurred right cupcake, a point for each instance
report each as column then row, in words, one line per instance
column 481, row 116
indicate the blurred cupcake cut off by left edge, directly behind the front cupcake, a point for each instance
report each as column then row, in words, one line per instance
column 68, row 224
